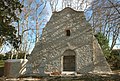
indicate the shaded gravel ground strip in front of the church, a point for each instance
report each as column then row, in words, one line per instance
column 84, row 77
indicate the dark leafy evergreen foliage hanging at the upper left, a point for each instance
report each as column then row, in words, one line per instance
column 8, row 9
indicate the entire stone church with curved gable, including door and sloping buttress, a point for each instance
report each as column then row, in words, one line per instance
column 67, row 45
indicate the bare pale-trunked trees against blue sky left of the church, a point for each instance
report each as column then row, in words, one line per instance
column 29, row 26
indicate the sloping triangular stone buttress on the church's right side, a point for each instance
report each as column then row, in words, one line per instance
column 100, row 63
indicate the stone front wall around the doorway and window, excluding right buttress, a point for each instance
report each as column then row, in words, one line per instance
column 55, row 42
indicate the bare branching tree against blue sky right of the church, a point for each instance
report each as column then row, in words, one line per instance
column 105, row 18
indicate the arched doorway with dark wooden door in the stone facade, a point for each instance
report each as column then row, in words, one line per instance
column 69, row 60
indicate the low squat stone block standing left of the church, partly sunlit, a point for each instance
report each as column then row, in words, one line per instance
column 14, row 67
